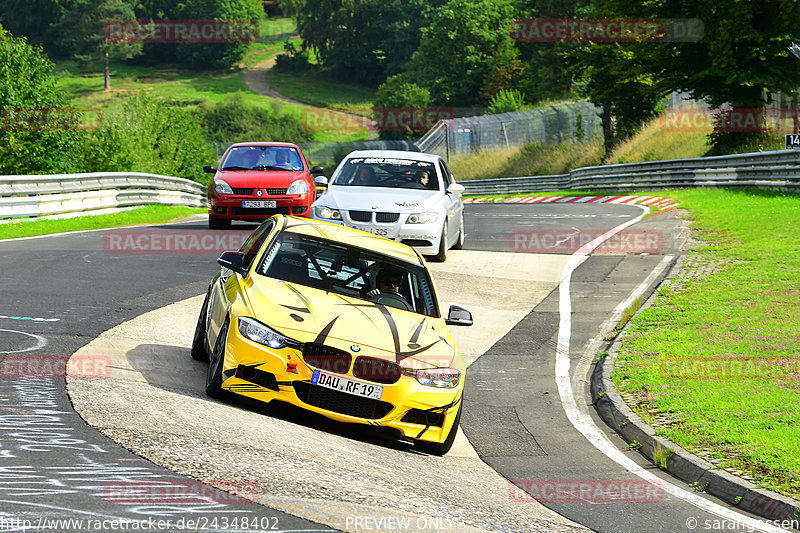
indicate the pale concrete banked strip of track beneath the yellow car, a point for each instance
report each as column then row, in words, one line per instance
column 153, row 404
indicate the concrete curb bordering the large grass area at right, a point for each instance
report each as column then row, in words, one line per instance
column 698, row 473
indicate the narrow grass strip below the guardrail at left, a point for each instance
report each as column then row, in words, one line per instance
column 153, row 214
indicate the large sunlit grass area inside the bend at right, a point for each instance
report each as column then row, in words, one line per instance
column 720, row 356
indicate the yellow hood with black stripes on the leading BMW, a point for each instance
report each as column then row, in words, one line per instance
column 312, row 315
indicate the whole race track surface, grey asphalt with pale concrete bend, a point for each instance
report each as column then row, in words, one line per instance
column 62, row 292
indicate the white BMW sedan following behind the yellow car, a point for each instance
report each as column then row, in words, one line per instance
column 410, row 197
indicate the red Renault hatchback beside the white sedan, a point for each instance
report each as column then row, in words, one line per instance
column 257, row 180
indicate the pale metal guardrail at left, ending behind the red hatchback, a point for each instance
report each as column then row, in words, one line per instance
column 59, row 194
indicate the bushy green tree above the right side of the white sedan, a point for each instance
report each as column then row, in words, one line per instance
column 454, row 59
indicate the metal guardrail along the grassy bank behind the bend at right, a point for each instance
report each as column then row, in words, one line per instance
column 775, row 170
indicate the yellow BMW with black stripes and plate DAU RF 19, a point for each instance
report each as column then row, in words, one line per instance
column 336, row 321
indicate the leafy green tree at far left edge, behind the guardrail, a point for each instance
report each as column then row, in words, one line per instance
column 37, row 133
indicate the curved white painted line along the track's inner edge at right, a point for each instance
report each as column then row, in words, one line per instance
column 586, row 426
